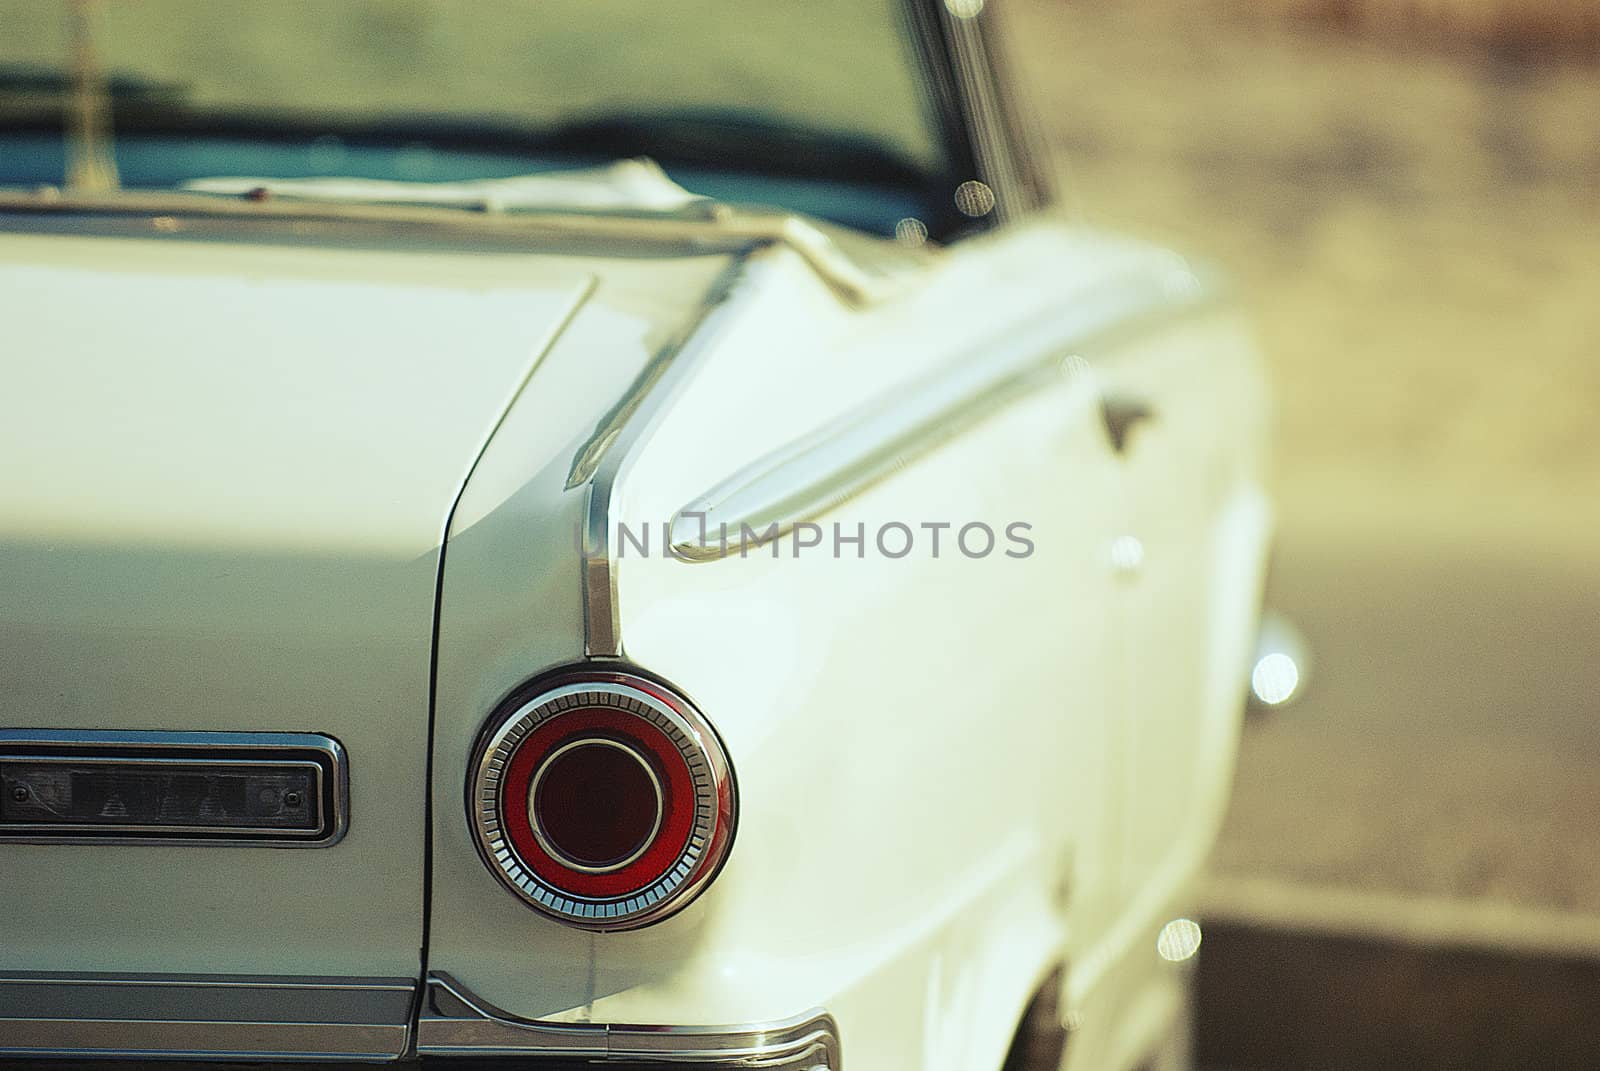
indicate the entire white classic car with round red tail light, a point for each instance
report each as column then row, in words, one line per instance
column 596, row 534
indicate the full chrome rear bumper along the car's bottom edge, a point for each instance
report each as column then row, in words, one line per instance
column 289, row 1021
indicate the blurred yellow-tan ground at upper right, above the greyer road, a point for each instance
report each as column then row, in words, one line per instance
column 1417, row 231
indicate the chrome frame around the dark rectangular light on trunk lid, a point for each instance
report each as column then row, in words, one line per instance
column 186, row 748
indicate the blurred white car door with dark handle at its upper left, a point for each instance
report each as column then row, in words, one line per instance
column 1186, row 412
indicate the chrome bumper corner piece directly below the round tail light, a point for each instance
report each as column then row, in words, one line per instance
column 455, row 1022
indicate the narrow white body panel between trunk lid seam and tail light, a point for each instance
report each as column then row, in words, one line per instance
column 511, row 609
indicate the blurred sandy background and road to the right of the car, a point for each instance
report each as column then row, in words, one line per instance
column 1412, row 209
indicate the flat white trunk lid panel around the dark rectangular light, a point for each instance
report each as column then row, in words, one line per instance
column 228, row 476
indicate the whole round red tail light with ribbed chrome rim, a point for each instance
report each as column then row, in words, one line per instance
column 604, row 801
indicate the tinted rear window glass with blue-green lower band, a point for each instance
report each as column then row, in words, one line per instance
column 820, row 106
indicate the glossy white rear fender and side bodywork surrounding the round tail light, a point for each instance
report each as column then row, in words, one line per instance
column 942, row 761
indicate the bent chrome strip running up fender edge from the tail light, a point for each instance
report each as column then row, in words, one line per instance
column 607, row 455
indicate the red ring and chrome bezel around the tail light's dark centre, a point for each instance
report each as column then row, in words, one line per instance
column 548, row 715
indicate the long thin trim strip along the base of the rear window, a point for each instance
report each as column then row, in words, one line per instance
column 724, row 230
